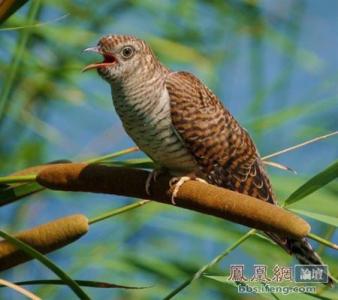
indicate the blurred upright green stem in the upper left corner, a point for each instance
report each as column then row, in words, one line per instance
column 17, row 57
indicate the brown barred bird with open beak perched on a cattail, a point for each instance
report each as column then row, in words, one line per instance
column 184, row 128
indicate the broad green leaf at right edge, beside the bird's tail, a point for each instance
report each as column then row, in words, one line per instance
column 314, row 184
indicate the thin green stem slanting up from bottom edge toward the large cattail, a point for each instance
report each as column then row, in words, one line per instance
column 218, row 258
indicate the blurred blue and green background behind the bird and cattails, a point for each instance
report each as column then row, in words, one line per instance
column 274, row 64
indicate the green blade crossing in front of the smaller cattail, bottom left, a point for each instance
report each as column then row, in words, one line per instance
column 48, row 263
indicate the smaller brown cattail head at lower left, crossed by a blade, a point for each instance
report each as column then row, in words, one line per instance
column 44, row 238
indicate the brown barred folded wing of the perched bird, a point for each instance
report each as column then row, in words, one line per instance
column 223, row 150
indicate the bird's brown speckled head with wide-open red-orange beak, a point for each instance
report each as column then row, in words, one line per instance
column 123, row 55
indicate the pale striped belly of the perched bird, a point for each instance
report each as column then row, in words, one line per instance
column 149, row 125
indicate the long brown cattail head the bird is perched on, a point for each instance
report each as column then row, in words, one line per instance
column 193, row 195
